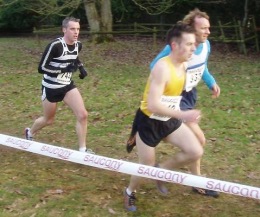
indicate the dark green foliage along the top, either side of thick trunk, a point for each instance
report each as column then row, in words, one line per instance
column 24, row 15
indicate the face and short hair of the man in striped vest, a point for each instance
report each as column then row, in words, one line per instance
column 71, row 33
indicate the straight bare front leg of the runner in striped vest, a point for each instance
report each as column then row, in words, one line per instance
column 74, row 100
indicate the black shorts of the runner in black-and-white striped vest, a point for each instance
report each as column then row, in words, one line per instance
column 56, row 95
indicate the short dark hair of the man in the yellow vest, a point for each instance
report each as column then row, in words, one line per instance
column 175, row 33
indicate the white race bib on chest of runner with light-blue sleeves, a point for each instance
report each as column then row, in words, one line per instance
column 193, row 76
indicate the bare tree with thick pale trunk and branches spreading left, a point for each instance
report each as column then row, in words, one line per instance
column 98, row 13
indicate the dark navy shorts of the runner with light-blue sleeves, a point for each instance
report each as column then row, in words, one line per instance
column 188, row 100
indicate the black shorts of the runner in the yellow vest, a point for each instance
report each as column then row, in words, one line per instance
column 152, row 131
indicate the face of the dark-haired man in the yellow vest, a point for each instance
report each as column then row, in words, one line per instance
column 186, row 47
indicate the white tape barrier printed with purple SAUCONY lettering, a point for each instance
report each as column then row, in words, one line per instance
column 129, row 168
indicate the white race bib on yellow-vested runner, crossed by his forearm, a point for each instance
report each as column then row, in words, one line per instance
column 172, row 102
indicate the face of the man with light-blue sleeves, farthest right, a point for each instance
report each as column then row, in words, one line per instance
column 201, row 26
